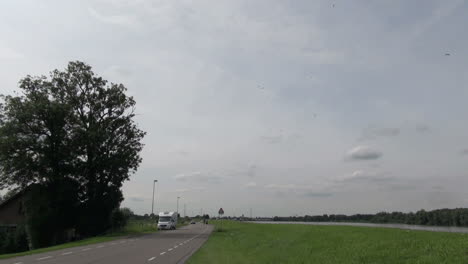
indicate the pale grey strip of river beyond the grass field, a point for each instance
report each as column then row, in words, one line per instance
column 451, row 229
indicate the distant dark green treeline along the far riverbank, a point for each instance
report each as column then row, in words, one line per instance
column 439, row 217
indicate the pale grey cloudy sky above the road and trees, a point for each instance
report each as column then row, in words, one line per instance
column 273, row 107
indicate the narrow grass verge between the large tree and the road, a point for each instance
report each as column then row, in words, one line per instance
column 134, row 227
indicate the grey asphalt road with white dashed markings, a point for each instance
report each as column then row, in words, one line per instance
column 174, row 246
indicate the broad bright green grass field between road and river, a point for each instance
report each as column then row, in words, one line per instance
column 265, row 243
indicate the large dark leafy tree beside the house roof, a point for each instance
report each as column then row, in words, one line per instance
column 72, row 130
